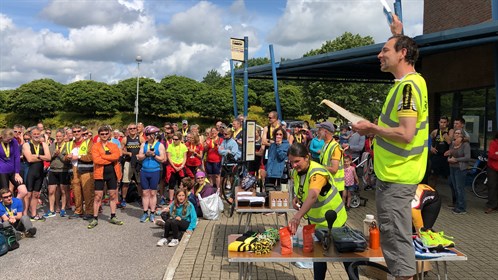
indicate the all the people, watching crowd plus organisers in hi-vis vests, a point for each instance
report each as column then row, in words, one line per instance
column 172, row 165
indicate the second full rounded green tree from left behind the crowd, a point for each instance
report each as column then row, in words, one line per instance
column 90, row 97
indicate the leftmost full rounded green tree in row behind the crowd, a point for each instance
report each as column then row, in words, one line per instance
column 37, row 99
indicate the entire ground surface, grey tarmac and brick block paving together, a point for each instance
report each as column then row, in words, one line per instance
column 65, row 249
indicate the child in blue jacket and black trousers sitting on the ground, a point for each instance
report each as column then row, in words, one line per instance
column 182, row 218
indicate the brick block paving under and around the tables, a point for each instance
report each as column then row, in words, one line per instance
column 204, row 256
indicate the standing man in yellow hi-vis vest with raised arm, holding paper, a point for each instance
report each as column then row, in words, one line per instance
column 400, row 150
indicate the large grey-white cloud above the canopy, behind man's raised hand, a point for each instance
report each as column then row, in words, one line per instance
column 307, row 24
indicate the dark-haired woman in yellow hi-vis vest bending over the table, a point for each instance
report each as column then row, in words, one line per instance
column 315, row 194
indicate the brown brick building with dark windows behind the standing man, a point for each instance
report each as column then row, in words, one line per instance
column 461, row 82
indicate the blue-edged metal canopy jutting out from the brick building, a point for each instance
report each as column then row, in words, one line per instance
column 361, row 64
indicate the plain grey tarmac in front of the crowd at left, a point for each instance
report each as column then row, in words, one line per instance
column 66, row 249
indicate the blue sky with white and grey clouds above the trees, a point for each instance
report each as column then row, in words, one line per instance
column 71, row 40
